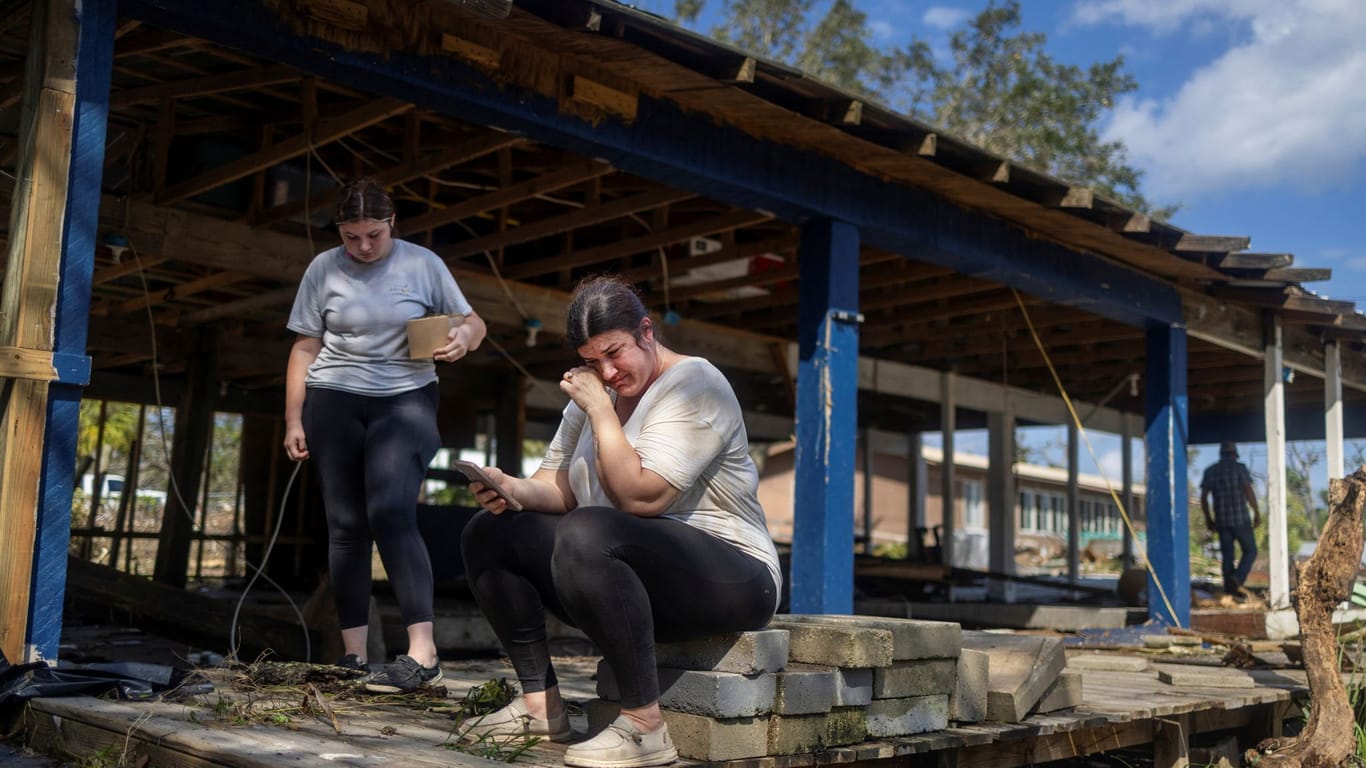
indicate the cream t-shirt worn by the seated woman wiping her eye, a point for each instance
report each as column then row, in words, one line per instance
column 689, row 430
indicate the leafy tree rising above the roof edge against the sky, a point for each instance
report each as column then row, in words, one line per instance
column 1001, row 91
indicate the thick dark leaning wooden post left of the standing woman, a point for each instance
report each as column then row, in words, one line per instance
column 189, row 446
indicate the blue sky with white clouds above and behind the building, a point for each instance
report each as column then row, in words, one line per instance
column 1249, row 114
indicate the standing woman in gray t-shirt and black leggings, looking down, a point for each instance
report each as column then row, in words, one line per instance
column 367, row 416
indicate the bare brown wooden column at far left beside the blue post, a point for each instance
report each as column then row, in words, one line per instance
column 38, row 223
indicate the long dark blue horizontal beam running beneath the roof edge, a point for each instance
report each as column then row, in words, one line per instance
column 699, row 154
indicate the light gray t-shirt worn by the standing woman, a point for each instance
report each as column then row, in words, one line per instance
column 361, row 314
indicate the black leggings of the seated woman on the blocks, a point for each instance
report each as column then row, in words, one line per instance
column 626, row 581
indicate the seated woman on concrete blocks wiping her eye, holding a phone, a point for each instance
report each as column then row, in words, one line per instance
column 641, row 524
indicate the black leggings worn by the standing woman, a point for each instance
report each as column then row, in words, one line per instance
column 371, row 456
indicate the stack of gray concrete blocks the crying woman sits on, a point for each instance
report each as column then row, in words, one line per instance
column 804, row 685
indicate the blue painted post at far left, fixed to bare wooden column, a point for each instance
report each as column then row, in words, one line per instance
column 95, row 62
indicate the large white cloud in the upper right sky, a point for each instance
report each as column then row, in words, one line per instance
column 1282, row 106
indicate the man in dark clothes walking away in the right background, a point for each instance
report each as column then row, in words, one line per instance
column 1230, row 486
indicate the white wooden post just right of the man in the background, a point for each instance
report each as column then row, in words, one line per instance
column 1274, row 404
